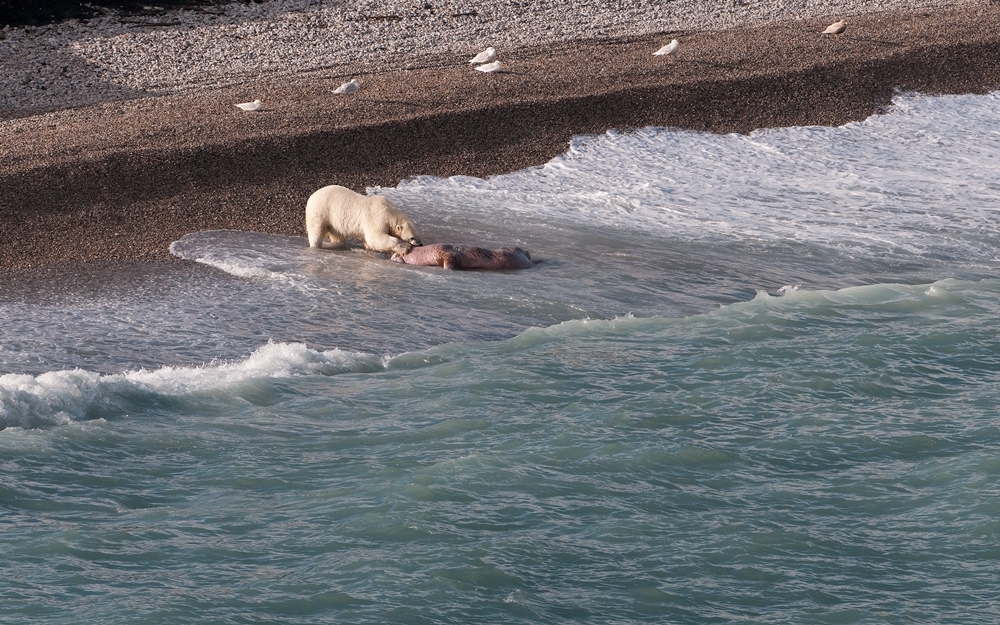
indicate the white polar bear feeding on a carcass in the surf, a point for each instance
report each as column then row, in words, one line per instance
column 341, row 214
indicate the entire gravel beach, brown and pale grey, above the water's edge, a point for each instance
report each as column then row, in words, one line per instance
column 119, row 135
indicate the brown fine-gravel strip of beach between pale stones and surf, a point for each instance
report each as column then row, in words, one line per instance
column 116, row 183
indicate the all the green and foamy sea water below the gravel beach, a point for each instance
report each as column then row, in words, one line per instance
column 753, row 379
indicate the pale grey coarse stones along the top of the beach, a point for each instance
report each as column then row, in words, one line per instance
column 114, row 57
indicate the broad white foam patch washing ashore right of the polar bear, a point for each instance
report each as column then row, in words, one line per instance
column 917, row 180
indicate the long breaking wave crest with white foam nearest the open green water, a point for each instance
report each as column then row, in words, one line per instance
column 60, row 397
